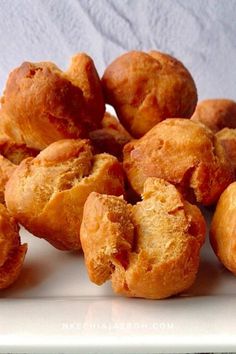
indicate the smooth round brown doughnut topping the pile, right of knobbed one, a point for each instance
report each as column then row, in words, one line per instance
column 146, row 88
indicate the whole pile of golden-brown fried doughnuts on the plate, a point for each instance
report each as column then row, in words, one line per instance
column 126, row 191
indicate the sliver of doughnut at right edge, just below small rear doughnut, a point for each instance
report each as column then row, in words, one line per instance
column 227, row 137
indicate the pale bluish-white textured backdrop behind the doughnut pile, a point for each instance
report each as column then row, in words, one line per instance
column 201, row 33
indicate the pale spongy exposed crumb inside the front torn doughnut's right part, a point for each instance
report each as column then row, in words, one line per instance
column 160, row 225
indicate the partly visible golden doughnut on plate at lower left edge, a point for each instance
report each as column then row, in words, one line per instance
column 12, row 253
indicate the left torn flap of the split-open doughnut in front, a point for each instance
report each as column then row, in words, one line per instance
column 109, row 235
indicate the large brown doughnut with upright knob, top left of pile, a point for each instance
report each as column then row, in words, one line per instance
column 42, row 104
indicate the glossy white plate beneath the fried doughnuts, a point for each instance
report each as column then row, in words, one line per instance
column 53, row 308
